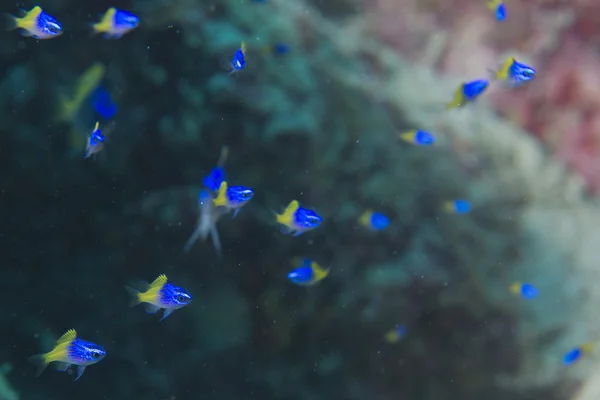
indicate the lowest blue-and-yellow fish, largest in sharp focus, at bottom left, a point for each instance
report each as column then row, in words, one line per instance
column 69, row 350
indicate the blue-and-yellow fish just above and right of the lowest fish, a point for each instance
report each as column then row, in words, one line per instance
column 160, row 294
